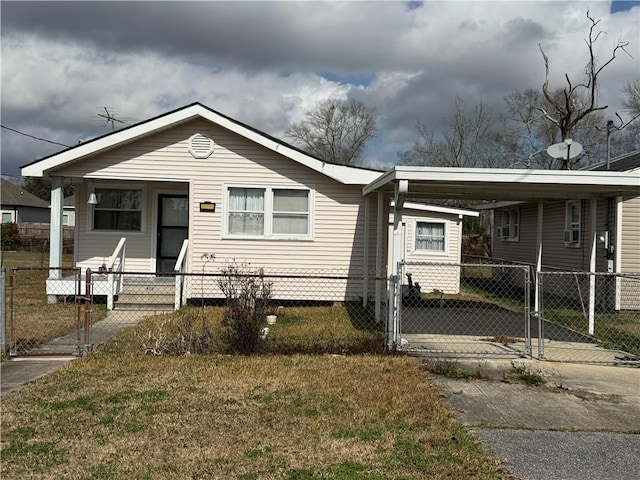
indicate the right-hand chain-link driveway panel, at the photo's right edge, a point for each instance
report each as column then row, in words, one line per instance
column 592, row 318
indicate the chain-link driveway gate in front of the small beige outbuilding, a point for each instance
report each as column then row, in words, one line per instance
column 465, row 309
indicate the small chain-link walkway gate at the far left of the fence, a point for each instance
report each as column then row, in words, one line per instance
column 34, row 325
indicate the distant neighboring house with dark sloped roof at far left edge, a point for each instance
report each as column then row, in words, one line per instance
column 19, row 206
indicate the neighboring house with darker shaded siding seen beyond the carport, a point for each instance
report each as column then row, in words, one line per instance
column 566, row 234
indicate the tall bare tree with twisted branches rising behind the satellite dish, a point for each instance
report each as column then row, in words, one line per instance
column 570, row 105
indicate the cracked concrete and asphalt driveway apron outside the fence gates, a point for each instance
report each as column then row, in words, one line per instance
column 584, row 423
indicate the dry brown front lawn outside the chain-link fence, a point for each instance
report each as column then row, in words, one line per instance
column 263, row 417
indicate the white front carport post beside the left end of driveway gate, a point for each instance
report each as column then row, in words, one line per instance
column 402, row 188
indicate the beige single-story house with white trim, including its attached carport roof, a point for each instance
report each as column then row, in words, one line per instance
column 165, row 194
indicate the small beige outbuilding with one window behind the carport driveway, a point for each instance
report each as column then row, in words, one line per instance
column 432, row 234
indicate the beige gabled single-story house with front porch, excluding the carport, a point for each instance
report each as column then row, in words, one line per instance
column 193, row 183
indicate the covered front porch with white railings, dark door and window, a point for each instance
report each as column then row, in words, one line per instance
column 123, row 226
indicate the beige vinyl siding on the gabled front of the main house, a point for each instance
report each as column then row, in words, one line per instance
column 337, row 236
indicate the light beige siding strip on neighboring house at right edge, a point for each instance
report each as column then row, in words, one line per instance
column 630, row 253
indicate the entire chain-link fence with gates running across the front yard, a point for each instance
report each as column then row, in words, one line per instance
column 446, row 309
